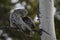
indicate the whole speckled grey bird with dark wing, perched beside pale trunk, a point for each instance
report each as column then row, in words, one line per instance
column 19, row 19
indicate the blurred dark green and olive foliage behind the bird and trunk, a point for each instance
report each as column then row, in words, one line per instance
column 5, row 8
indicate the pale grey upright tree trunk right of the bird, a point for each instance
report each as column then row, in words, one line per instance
column 47, row 19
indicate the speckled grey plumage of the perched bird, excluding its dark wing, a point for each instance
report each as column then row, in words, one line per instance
column 17, row 21
